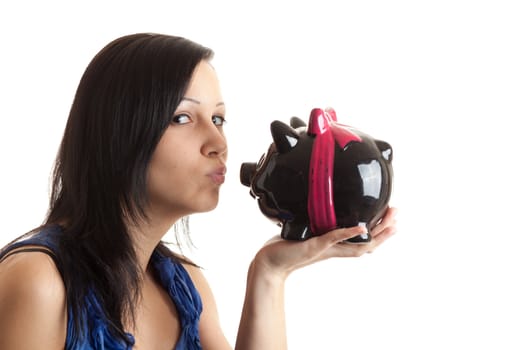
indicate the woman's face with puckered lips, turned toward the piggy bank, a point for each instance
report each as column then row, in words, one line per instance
column 188, row 165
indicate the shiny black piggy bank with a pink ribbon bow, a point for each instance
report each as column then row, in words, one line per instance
column 318, row 177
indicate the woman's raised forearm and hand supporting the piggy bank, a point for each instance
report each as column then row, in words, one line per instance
column 262, row 325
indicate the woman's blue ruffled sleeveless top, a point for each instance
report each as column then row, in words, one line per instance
column 174, row 279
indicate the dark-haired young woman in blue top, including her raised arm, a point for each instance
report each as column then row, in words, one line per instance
column 143, row 148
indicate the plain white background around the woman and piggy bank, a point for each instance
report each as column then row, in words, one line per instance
column 442, row 81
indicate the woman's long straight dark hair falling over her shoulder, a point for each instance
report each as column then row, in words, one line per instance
column 123, row 104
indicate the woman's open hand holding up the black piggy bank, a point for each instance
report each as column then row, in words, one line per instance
column 281, row 257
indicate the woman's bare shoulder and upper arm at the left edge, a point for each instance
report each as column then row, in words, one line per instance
column 32, row 302
